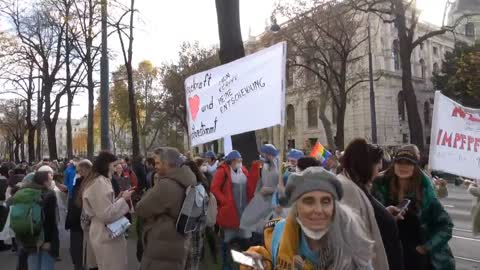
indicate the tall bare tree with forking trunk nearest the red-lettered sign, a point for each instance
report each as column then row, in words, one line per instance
column 405, row 16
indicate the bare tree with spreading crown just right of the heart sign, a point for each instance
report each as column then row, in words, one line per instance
column 325, row 42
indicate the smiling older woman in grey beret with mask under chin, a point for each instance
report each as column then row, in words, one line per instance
column 319, row 232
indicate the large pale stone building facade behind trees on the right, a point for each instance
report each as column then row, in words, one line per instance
column 392, row 120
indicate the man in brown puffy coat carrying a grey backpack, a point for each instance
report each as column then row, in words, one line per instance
column 163, row 246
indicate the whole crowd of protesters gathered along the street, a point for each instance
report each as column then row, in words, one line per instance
column 360, row 209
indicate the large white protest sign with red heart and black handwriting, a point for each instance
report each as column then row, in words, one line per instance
column 241, row 96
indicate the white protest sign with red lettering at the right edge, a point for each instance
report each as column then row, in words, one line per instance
column 455, row 138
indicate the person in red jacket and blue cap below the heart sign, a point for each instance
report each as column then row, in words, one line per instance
column 230, row 185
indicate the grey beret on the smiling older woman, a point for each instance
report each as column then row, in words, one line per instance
column 311, row 179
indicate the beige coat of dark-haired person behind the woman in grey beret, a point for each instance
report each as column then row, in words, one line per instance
column 356, row 199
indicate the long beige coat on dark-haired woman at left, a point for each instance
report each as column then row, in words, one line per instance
column 99, row 204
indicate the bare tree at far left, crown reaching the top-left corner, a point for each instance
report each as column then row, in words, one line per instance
column 41, row 30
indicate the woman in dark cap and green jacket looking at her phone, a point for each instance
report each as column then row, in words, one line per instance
column 424, row 225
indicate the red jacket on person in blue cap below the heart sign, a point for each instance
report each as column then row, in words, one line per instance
column 227, row 216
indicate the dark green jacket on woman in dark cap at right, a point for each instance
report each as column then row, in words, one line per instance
column 436, row 224
